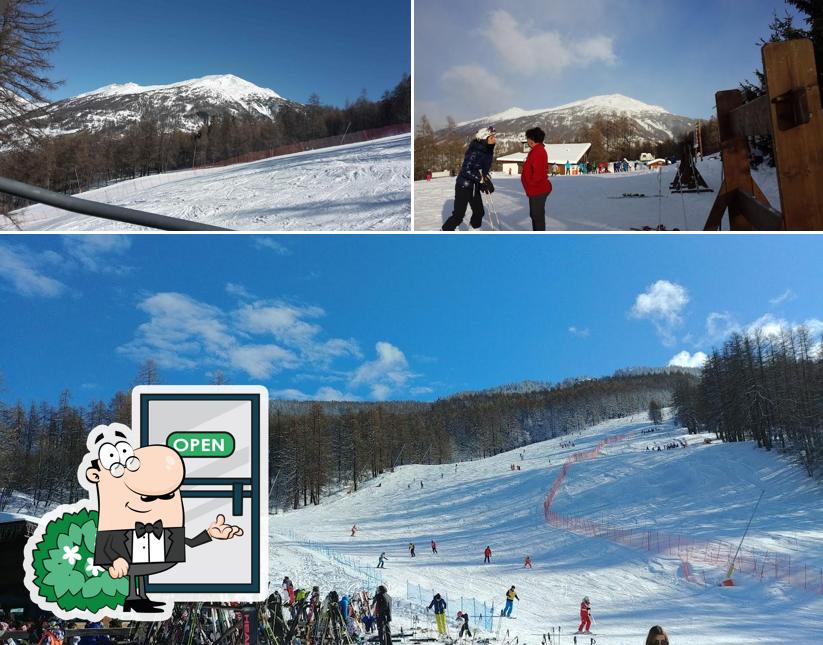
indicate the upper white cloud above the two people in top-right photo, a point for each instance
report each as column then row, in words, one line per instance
column 529, row 52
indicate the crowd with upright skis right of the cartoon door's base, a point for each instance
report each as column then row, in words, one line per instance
column 356, row 614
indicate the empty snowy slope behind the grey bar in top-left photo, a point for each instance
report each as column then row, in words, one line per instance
column 357, row 187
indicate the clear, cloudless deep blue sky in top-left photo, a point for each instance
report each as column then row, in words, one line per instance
column 295, row 48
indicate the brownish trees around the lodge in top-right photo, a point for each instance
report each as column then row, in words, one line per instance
column 612, row 139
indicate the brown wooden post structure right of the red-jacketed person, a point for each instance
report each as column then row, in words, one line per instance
column 790, row 113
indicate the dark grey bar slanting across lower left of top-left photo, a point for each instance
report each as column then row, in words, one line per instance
column 98, row 209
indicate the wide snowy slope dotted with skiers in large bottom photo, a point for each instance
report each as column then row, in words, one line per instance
column 704, row 490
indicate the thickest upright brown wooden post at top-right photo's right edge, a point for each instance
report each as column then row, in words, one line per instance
column 798, row 150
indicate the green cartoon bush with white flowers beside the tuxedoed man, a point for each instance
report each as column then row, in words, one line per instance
column 64, row 571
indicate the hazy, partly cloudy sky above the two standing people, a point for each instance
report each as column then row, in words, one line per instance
column 474, row 58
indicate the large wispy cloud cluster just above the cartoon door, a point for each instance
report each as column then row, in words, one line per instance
column 260, row 339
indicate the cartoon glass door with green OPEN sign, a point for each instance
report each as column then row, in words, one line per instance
column 221, row 432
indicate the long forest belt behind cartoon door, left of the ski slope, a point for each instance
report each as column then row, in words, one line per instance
column 315, row 447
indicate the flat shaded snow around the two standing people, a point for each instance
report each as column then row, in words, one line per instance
column 586, row 203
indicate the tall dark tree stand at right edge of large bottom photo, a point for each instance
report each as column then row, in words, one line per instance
column 764, row 388
